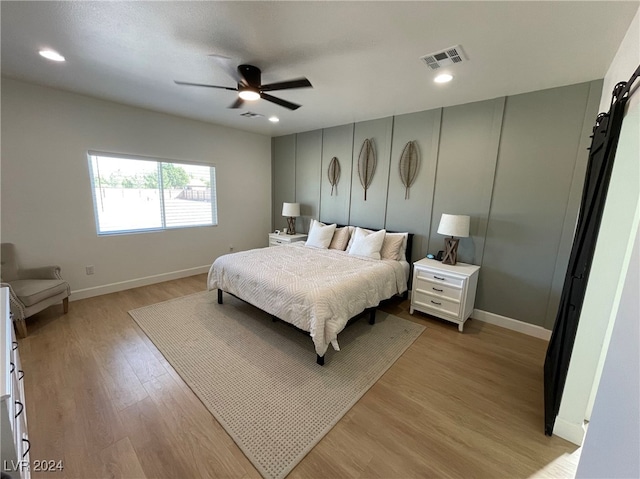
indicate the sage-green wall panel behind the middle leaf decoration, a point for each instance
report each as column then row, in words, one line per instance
column 371, row 212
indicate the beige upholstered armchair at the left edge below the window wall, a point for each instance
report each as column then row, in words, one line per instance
column 31, row 290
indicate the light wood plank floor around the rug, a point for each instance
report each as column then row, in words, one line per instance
column 101, row 398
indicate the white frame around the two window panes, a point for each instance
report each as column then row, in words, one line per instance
column 158, row 161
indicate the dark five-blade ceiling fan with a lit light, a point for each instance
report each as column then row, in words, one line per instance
column 250, row 88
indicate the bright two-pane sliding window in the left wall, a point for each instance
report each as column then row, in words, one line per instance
column 132, row 194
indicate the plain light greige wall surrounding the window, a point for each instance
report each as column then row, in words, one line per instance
column 47, row 204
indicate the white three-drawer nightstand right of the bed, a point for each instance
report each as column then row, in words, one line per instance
column 443, row 290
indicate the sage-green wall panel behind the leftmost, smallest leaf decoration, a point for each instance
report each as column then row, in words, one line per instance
column 338, row 142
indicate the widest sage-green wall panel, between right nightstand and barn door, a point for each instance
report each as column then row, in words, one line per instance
column 540, row 134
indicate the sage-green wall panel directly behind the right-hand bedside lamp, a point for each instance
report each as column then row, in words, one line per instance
column 469, row 141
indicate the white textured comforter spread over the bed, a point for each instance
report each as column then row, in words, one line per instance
column 316, row 290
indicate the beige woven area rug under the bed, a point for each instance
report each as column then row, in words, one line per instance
column 260, row 378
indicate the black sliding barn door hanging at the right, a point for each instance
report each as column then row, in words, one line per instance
column 601, row 155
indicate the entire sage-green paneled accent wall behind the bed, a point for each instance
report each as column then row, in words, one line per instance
column 514, row 164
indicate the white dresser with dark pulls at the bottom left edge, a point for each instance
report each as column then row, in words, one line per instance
column 14, row 443
